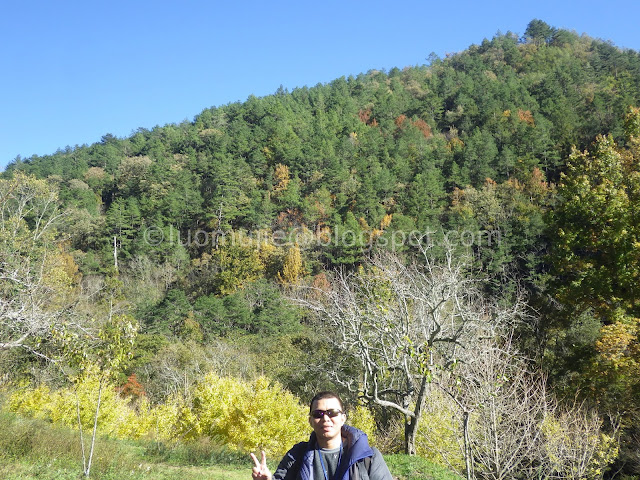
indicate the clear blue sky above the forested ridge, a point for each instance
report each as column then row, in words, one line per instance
column 73, row 71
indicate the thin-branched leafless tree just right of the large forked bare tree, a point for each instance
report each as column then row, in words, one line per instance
column 504, row 404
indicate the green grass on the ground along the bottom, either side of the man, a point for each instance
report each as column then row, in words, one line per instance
column 36, row 449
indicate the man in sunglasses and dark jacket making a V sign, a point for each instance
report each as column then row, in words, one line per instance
column 335, row 451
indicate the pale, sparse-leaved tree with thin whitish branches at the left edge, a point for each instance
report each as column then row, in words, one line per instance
column 31, row 281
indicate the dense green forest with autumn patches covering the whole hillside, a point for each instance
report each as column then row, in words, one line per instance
column 519, row 154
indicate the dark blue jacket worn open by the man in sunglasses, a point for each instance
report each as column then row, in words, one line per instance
column 297, row 464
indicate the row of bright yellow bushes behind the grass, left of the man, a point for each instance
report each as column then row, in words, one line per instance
column 246, row 416
